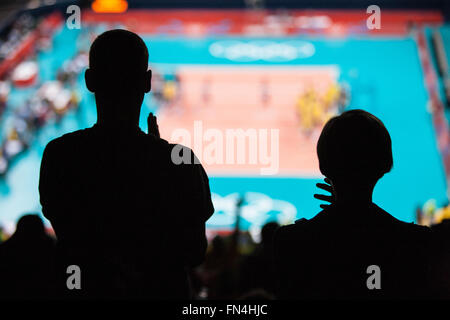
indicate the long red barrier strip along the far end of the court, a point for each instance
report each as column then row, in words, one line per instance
column 263, row 22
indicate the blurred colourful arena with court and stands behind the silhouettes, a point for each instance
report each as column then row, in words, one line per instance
column 276, row 69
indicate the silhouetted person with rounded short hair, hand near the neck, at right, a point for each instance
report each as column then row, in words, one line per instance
column 328, row 256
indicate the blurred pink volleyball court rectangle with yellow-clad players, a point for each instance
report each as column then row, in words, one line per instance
column 296, row 100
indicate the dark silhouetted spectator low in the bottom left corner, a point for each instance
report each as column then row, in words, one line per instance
column 27, row 261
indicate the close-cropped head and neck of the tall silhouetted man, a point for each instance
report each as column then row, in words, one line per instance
column 118, row 75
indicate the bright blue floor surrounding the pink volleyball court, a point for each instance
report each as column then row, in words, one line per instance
column 385, row 78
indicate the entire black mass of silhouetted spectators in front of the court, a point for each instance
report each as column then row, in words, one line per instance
column 132, row 217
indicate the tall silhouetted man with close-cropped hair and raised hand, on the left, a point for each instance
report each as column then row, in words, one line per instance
column 131, row 219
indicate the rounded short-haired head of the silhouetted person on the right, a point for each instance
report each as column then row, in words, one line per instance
column 354, row 147
